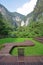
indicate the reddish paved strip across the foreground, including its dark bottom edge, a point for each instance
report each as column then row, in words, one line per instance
column 30, row 60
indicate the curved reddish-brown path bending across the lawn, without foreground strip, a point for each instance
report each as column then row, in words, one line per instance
column 5, row 51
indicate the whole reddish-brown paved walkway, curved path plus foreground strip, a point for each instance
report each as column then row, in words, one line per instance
column 7, row 59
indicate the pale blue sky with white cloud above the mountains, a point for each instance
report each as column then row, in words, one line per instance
column 21, row 6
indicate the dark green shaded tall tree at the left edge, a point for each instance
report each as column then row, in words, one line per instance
column 3, row 27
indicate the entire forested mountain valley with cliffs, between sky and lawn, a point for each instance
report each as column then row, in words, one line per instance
column 17, row 25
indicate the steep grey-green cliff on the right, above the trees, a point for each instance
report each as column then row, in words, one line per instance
column 37, row 14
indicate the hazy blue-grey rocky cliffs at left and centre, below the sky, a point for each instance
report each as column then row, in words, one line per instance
column 13, row 19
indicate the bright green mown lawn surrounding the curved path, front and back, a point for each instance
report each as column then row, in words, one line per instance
column 28, row 51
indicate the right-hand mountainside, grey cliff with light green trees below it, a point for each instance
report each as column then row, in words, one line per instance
column 35, row 23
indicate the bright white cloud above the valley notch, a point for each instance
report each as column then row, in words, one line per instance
column 27, row 7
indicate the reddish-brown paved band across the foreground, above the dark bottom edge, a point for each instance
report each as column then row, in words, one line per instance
column 21, row 59
